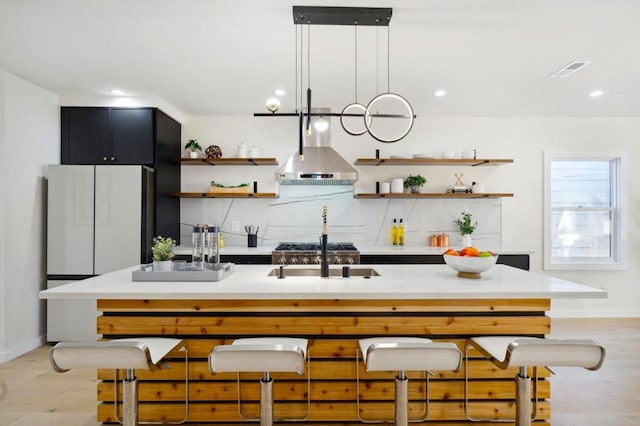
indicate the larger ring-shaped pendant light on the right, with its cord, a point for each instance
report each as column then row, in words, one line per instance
column 396, row 119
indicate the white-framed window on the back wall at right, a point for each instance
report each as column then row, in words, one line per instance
column 583, row 218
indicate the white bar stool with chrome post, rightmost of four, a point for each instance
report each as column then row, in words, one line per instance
column 524, row 352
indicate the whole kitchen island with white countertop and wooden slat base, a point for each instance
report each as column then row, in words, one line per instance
column 333, row 313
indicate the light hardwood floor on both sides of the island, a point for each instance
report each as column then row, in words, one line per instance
column 31, row 393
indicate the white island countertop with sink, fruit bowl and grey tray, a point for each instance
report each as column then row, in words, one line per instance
column 394, row 282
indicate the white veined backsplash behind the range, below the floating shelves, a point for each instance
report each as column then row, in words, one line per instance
column 297, row 216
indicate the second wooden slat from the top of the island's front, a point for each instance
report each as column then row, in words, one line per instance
column 321, row 325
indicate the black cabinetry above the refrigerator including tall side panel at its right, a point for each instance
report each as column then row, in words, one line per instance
column 129, row 136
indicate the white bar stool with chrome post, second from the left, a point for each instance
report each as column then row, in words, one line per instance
column 262, row 355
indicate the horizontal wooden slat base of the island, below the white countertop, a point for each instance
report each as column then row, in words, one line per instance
column 333, row 328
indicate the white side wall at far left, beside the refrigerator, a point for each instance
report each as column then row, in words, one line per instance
column 30, row 141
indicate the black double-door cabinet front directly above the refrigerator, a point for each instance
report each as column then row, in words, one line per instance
column 97, row 135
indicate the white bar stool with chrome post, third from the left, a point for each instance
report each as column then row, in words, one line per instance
column 406, row 354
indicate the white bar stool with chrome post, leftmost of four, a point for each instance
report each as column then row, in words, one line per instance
column 126, row 354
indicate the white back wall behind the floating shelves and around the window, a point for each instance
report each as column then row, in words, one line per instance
column 523, row 139
